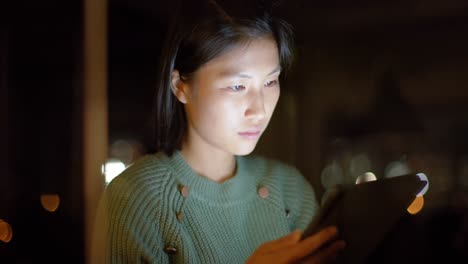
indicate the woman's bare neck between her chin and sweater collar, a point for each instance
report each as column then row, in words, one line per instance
column 214, row 164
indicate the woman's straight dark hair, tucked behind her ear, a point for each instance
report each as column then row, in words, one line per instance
column 194, row 39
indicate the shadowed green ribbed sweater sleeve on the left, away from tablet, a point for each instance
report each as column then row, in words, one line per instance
column 125, row 230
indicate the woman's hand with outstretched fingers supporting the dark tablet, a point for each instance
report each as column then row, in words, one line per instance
column 291, row 249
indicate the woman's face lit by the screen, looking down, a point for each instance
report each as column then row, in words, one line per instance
column 230, row 99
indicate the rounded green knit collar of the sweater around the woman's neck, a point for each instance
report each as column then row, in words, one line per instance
column 241, row 187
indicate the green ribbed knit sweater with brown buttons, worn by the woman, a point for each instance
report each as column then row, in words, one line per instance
column 160, row 211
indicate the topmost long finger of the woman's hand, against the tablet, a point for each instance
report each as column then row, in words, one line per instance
column 312, row 243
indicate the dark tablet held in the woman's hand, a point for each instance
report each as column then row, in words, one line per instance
column 366, row 212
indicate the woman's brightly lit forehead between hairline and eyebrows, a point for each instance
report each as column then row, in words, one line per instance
column 258, row 56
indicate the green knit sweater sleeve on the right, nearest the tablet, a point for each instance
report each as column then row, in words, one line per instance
column 300, row 198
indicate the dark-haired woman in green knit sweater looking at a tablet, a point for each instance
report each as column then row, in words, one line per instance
column 200, row 199
